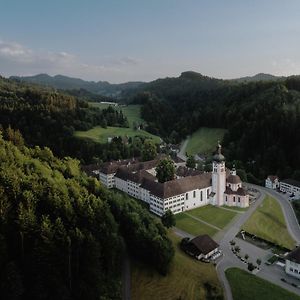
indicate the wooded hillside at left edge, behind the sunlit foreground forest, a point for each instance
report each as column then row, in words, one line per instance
column 48, row 118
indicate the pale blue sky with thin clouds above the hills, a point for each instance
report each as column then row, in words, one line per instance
column 142, row 40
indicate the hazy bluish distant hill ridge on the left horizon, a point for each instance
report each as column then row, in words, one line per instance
column 62, row 82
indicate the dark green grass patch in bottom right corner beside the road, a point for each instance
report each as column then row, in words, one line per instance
column 245, row 286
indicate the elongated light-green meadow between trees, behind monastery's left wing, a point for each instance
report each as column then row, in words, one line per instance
column 100, row 134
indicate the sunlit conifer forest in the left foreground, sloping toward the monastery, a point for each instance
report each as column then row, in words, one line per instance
column 61, row 233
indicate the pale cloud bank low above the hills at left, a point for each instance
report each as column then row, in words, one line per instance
column 16, row 59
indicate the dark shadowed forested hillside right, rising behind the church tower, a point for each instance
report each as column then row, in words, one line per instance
column 262, row 118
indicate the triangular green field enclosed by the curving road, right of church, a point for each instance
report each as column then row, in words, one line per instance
column 268, row 222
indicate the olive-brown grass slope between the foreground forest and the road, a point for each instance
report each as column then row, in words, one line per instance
column 185, row 281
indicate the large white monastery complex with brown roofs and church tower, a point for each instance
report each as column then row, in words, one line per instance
column 189, row 190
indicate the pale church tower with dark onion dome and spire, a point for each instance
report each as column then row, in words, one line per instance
column 218, row 177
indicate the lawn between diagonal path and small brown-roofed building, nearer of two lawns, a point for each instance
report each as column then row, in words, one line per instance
column 192, row 226
